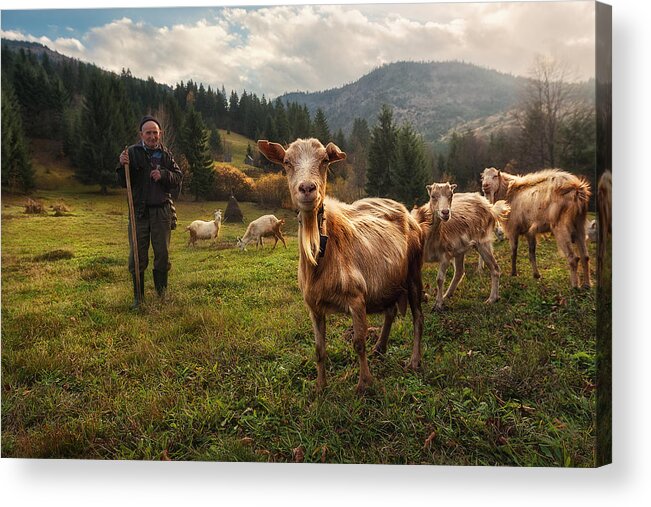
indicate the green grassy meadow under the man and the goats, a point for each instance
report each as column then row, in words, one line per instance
column 225, row 370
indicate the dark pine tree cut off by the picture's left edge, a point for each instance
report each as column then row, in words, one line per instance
column 17, row 171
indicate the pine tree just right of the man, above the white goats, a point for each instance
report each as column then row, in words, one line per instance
column 197, row 151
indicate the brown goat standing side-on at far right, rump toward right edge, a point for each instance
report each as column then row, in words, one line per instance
column 550, row 200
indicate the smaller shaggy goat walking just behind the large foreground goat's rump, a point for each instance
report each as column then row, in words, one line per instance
column 458, row 224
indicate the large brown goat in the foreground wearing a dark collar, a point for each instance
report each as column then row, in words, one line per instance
column 358, row 258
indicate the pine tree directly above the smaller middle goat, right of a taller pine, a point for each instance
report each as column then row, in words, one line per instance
column 409, row 173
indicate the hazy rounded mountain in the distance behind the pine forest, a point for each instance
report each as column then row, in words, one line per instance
column 435, row 97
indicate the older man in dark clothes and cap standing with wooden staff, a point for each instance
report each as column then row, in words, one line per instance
column 155, row 176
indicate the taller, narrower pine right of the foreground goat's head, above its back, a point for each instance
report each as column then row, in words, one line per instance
column 381, row 155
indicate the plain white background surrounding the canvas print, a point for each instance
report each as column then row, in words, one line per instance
column 626, row 482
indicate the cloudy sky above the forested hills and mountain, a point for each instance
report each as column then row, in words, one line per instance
column 283, row 48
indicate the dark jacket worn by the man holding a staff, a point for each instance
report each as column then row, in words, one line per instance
column 147, row 192
